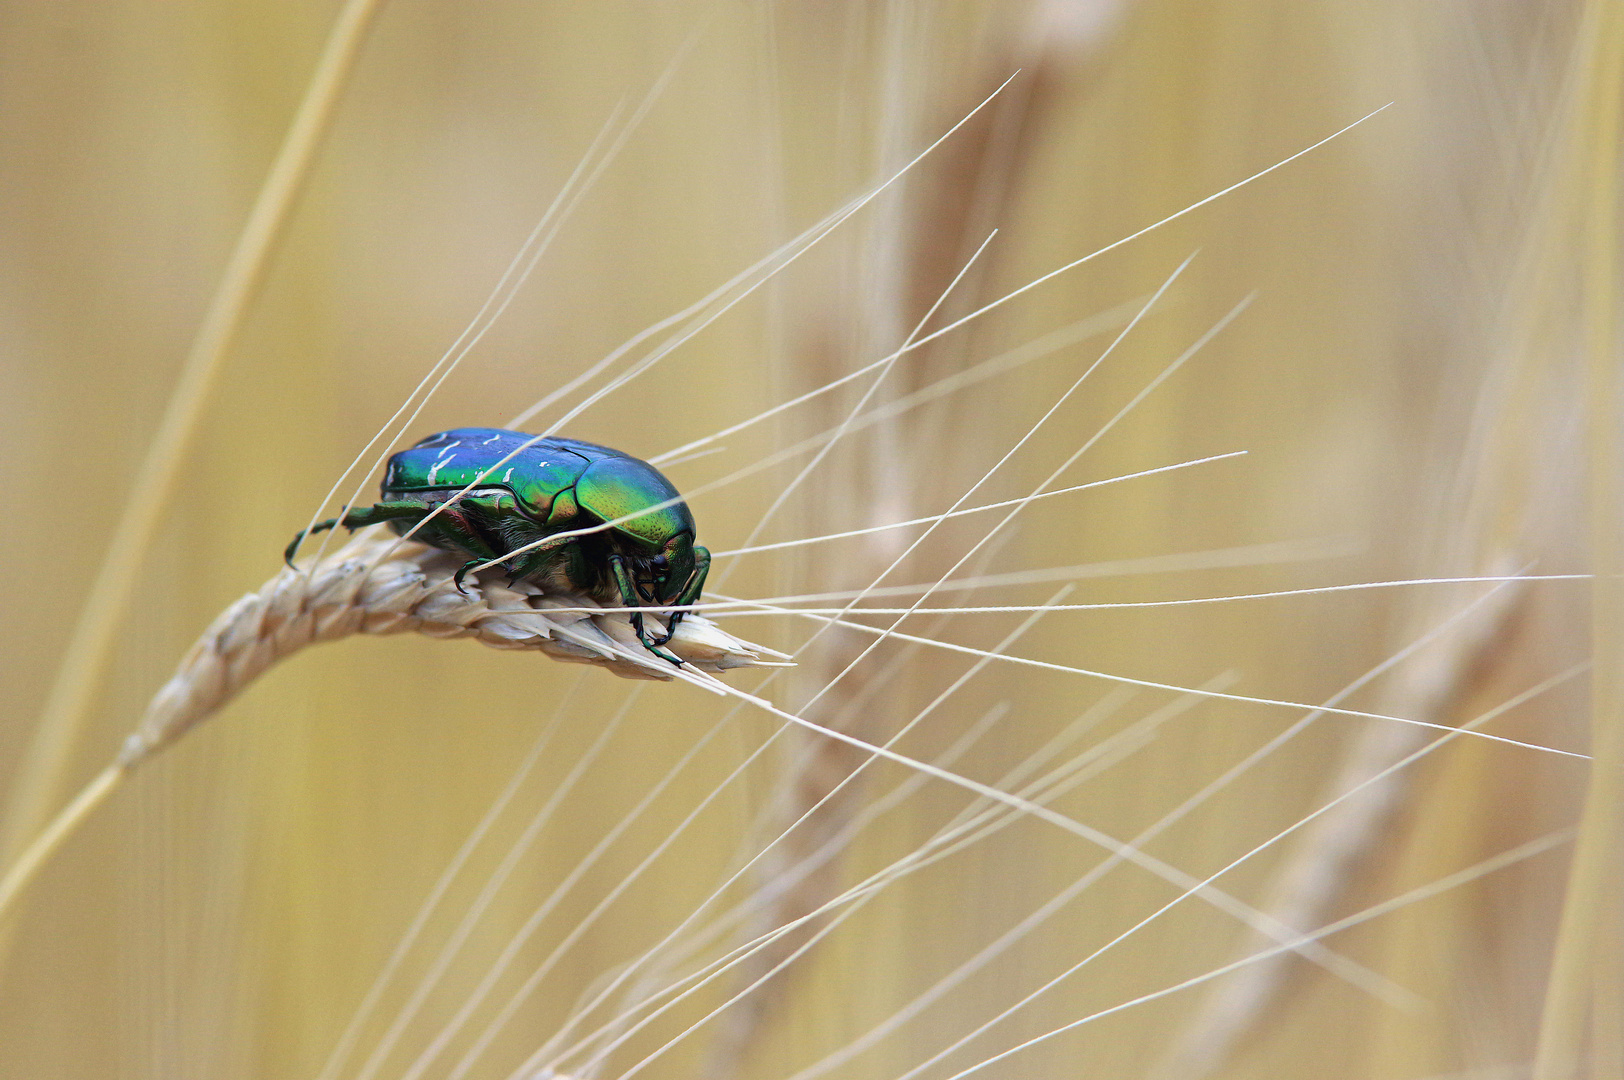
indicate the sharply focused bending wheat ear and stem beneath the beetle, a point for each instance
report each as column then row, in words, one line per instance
column 379, row 585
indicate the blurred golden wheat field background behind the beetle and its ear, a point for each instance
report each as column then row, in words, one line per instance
column 1425, row 384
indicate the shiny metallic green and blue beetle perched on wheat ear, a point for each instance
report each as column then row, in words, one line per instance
column 542, row 490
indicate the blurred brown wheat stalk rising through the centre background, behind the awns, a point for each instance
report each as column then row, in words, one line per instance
column 920, row 270
